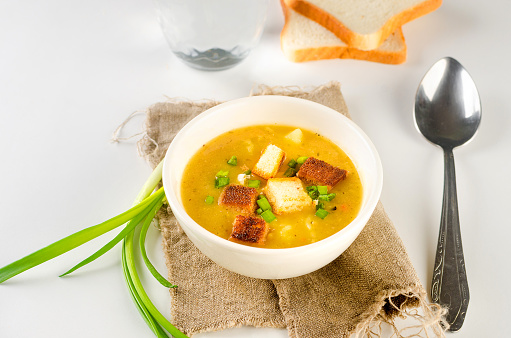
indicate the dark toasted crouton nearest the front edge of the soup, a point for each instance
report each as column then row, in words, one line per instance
column 249, row 229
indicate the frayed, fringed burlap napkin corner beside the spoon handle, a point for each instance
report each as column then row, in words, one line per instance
column 430, row 323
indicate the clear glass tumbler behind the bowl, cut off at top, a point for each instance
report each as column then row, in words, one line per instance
column 212, row 34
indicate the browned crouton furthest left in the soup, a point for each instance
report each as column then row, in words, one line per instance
column 240, row 198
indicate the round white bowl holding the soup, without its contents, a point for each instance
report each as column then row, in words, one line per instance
column 260, row 262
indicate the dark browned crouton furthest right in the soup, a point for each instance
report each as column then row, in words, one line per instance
column 320, row 173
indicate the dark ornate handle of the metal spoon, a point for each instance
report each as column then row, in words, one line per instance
column 449, row 287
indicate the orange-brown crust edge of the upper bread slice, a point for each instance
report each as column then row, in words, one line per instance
column 353, row 39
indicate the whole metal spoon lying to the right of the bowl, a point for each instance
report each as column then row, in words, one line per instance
column 447, row 112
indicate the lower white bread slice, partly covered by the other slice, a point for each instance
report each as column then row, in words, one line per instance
column 305, row 40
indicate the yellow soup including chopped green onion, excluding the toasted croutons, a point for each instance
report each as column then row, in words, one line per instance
column 229, row 159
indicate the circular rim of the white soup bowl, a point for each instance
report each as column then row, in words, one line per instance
column 178, row 209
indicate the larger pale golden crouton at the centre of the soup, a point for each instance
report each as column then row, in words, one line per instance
column 286, row 195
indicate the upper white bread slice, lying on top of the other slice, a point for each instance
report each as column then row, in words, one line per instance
column 363, row 24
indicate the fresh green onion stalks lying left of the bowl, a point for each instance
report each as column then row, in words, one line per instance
column 145, row 207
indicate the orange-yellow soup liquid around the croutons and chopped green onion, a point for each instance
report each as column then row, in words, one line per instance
column 288, row 230
